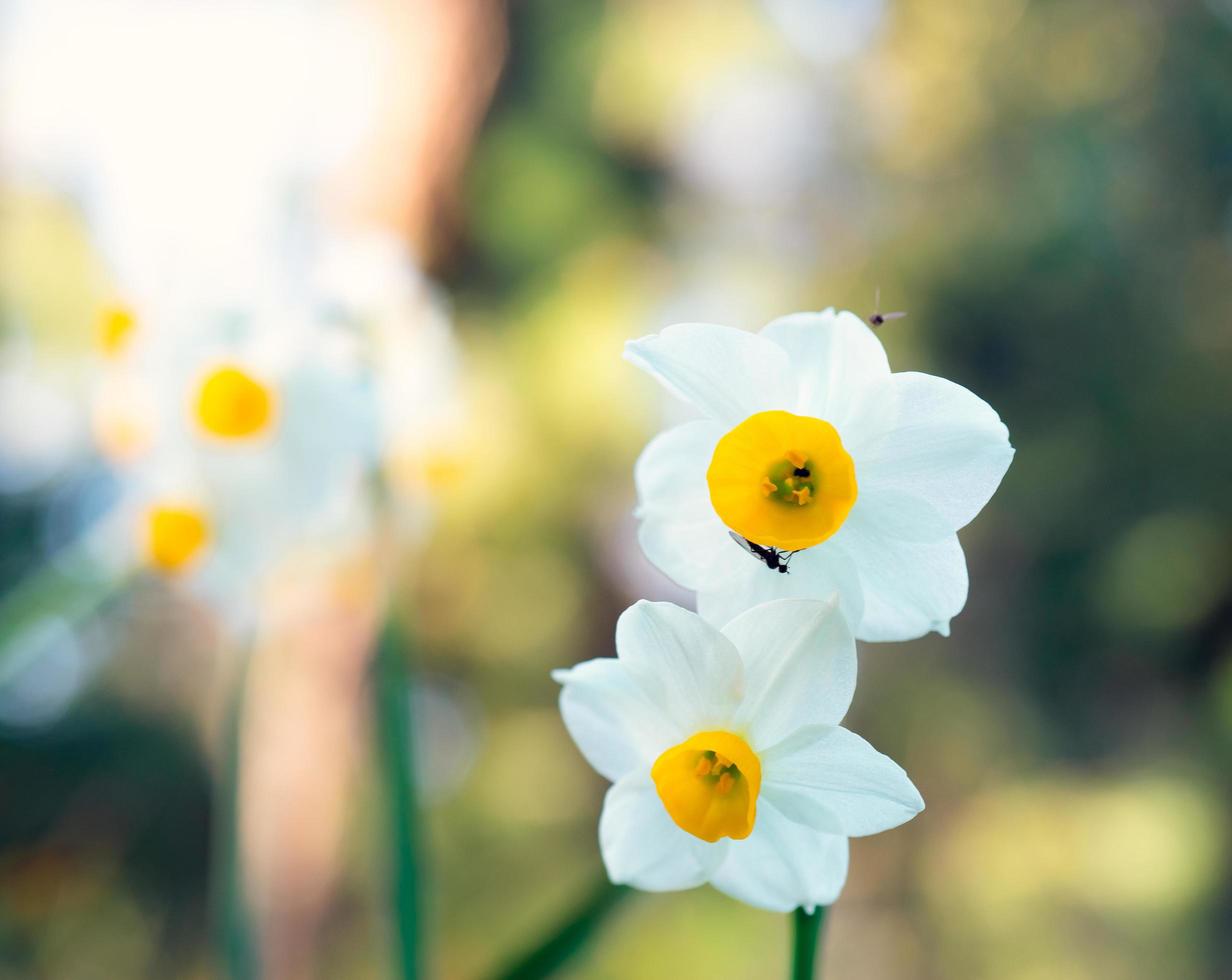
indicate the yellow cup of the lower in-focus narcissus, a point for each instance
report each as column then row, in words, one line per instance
column 709, row 786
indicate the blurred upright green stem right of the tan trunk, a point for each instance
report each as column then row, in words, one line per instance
column 392, row 695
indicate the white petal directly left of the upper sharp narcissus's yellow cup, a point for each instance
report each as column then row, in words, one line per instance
column 681, row 533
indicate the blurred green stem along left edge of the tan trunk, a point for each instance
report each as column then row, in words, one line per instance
column 237, row 946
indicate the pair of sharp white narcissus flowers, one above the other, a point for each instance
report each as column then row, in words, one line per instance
column 815, row 502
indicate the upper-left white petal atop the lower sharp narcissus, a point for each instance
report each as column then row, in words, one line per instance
column 683, row 664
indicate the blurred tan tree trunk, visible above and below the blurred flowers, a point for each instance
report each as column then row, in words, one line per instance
column 306, row 716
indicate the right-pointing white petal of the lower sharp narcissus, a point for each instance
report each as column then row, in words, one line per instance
column 833, row 781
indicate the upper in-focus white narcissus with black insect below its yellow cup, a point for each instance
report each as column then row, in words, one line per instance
column 809, row 444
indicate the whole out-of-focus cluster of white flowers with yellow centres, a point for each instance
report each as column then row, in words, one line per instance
column 249, row 435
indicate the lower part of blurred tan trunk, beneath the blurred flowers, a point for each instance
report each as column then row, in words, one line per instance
column 304, row 735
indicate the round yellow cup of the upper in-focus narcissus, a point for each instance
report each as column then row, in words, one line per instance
column 783, row 480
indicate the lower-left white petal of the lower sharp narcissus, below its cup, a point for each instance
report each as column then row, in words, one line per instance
column 644, row 847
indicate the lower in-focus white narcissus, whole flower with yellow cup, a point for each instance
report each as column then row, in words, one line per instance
column 726, row 755
